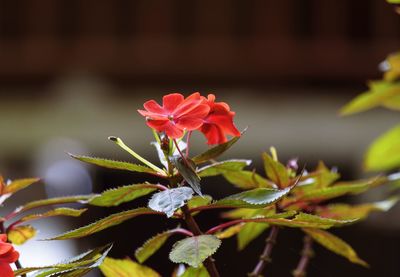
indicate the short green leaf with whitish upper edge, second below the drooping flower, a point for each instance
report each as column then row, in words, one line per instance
column 223, row 167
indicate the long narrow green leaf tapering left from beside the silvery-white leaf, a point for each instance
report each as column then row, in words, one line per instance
column 104, row 223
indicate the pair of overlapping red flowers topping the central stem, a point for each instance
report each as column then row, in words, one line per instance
column 177, row 114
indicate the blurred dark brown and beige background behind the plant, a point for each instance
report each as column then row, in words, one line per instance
column 74, row 72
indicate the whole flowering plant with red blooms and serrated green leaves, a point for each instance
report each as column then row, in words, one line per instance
column 282, row 197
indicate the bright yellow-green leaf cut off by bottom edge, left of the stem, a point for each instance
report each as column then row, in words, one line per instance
column 126, row 268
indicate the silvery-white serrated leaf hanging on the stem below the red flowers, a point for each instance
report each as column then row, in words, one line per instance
column 169, row 200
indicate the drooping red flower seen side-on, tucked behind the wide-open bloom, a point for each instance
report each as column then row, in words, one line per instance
column 218, row 122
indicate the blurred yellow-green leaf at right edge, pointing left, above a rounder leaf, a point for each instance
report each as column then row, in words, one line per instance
column 380, row 93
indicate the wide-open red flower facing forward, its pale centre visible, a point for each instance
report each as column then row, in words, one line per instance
column 176, row 114
